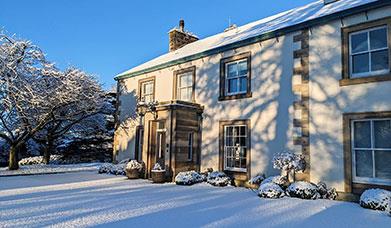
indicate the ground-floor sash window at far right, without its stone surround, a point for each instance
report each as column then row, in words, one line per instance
column 371, row 150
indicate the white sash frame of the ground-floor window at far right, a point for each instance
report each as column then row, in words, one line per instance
column 367, row 180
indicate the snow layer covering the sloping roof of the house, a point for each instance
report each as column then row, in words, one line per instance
column 279, row 21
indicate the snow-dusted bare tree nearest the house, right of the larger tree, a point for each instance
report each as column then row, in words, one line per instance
column 84, row 101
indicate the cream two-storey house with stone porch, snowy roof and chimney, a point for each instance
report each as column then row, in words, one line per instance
column 314, row 80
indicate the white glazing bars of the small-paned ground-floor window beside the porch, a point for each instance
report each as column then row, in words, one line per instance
column 236, row 169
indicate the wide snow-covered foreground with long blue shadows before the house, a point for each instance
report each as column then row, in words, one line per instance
column 88, row 199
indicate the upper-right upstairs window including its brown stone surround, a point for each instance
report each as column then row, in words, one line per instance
column 366, row 52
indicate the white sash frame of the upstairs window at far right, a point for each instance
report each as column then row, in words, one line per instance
column 369, row 51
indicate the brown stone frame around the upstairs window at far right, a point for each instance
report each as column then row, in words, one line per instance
column 368, row 77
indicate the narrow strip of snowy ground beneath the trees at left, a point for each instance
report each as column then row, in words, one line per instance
column 46, row 169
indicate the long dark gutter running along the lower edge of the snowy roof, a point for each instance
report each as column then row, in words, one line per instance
column 262, row 37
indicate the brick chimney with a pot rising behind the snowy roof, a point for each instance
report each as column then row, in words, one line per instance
column 178, row 37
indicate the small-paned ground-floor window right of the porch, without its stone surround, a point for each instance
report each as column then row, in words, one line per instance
column 235, row 147
